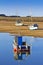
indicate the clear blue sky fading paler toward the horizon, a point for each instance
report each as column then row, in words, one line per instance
column 21, row 7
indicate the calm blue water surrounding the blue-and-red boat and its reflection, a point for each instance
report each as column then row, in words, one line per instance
column 6, row 51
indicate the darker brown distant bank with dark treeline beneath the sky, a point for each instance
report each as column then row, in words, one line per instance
column 25, row 19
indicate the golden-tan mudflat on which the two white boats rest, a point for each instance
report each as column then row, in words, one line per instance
column 8, row 26
